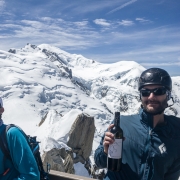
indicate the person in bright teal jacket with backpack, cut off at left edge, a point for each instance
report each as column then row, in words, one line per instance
column 23, row 165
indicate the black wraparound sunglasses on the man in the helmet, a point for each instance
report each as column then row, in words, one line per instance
column 157, row 91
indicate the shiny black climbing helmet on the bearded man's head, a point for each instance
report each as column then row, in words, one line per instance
column 155, row 76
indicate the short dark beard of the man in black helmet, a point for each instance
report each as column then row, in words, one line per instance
column 160, row 109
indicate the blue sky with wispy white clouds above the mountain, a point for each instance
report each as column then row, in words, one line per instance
column 145, row 31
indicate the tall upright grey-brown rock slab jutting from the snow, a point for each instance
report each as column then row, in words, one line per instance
column 81, row 137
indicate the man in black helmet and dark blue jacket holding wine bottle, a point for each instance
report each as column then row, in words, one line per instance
column 151, row 148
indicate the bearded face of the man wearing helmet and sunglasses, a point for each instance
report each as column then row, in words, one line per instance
column 154, row 103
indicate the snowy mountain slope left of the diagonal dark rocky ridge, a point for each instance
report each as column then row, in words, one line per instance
column 32, row 85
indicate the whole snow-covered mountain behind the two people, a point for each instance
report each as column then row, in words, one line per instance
column 36, row 80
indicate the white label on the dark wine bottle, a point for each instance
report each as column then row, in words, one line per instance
column 115, row 149
